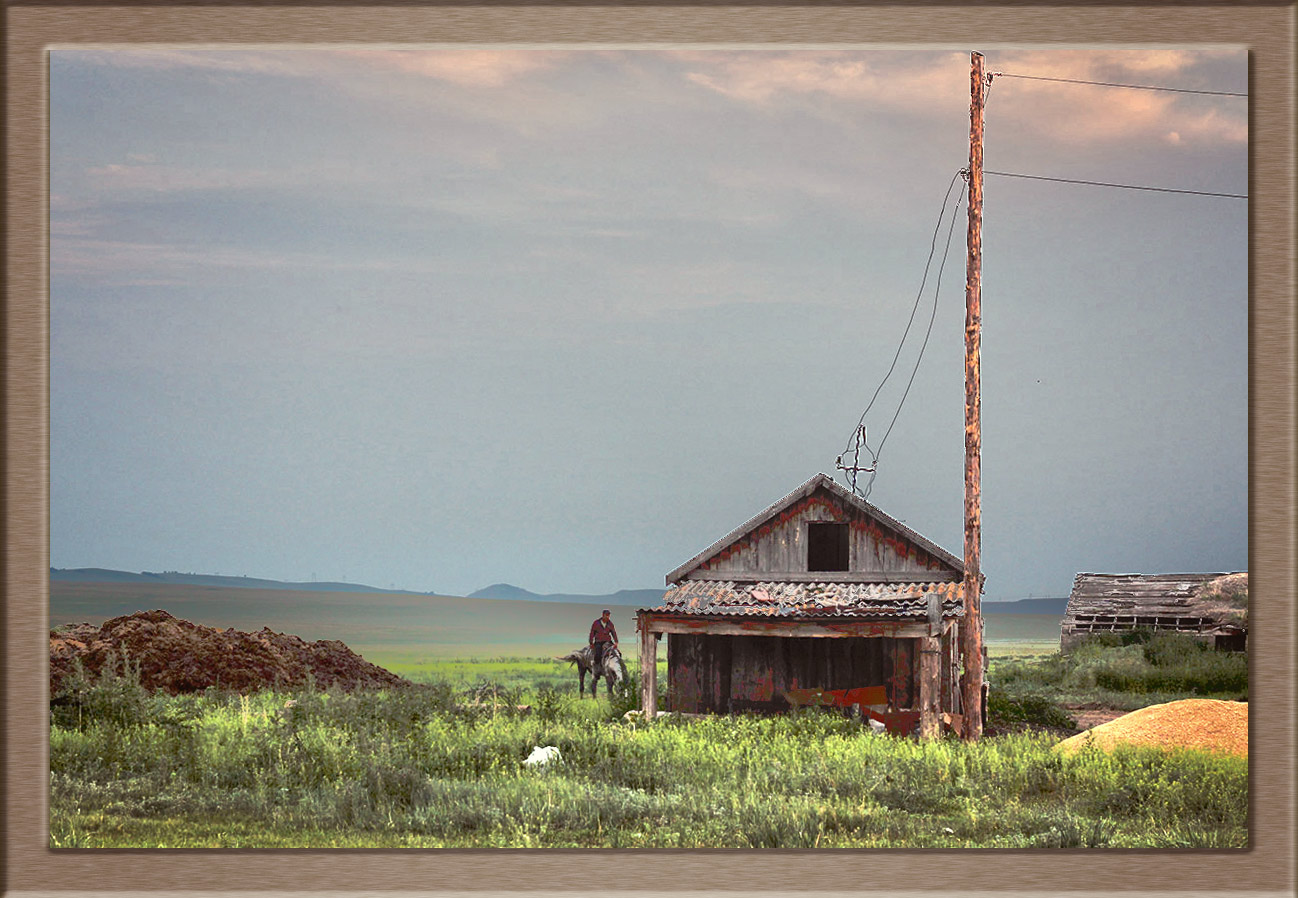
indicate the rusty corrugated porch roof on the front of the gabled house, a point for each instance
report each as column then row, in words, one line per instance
column 812, row 600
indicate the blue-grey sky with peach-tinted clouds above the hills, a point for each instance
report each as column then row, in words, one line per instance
column 435, row 319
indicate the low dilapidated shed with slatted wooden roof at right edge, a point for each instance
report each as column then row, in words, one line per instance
column 1212, row 607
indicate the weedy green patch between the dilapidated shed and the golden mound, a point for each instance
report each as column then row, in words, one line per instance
column 1126, row 672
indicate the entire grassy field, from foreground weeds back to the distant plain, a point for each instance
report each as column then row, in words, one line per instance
column 434, row 766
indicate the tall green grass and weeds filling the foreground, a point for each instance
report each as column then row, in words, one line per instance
column 442, row 765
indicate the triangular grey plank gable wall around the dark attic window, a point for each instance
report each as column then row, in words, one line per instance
column 781, row 546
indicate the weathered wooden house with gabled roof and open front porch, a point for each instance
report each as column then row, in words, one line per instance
column 818, row 599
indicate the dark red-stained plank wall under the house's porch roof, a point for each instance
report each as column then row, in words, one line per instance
column 721, row 674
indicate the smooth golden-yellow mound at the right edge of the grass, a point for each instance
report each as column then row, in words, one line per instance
column 1194, row 723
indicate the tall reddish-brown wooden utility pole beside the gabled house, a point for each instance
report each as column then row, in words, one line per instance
column 972, row 635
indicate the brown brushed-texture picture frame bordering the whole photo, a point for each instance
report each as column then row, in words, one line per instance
column 1265, row 869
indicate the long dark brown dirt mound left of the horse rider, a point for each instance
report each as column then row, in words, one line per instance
column 177, row 656
